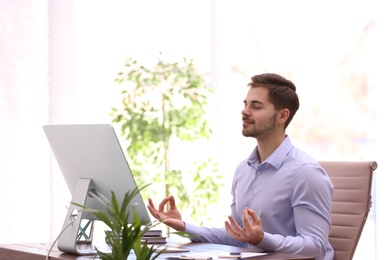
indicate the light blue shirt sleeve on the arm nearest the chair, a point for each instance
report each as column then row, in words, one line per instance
column 311, row 198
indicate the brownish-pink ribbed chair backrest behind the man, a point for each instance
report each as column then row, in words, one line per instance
column 351, row 203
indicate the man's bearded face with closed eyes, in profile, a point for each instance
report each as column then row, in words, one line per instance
column 259, row 118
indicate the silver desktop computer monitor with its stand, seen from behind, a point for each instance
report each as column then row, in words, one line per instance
column 91, row 160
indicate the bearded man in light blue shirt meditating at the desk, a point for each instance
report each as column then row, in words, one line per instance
column 281, row 196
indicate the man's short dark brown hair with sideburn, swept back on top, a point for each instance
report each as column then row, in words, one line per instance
column 281, row 92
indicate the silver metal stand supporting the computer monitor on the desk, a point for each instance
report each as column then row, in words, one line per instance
column 77, row 236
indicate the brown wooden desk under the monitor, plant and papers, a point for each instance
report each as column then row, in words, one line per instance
column 38, row 251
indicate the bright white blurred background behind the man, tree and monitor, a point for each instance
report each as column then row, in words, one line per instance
column 59, row 59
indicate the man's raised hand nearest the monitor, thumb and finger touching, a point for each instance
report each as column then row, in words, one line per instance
column 171, row 217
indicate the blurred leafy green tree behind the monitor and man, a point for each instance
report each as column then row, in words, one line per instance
column 162, row 104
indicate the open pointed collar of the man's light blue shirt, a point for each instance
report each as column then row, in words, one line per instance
column 276, row 158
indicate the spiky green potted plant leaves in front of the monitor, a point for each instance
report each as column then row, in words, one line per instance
column 122, row 236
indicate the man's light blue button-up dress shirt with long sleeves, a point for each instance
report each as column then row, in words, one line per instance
column 291, row 193
